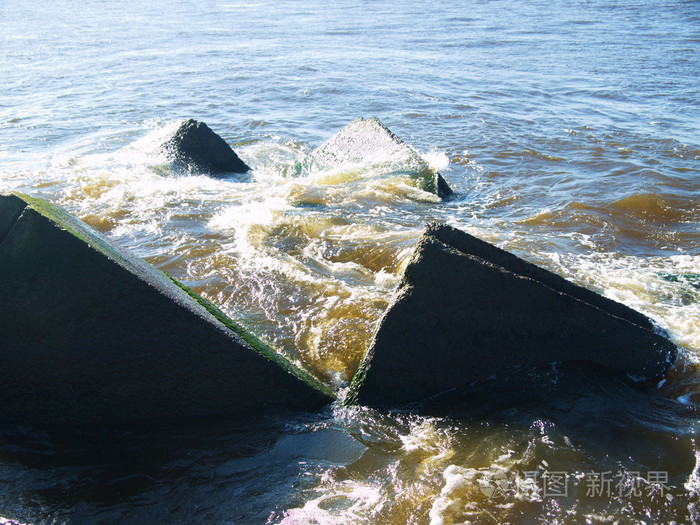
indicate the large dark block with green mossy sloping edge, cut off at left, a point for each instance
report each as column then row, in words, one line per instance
column 91, row 333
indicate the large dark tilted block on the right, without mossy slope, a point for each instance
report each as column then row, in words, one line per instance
column 467, row 311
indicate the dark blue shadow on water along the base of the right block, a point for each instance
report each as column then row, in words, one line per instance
column 578, row 396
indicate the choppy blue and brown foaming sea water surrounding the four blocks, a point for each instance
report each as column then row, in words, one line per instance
column 570, row 134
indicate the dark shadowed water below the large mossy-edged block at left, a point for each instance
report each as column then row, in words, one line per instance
column 216, row 470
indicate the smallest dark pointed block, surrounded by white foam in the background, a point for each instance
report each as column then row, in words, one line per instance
column 193, row 146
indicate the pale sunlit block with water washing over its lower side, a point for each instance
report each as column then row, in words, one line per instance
column 368, row 141
